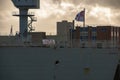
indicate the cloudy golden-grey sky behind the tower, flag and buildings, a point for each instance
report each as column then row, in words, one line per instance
column 98, row 12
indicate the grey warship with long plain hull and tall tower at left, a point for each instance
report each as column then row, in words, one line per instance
column 22, row 60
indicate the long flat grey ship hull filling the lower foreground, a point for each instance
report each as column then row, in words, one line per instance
column 34, row 63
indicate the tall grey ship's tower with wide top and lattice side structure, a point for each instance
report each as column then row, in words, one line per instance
column 24, row 6
